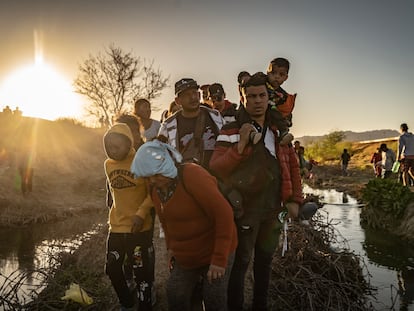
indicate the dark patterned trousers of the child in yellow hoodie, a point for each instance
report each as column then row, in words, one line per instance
column 118, row 246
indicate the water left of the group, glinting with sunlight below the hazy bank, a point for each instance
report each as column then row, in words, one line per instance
column 25, row 250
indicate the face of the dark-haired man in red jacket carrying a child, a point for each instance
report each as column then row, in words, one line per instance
column 255, row 100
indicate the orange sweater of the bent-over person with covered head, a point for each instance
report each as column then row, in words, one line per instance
column 198, row 220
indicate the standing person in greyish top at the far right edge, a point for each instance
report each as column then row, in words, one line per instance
column 406, row 153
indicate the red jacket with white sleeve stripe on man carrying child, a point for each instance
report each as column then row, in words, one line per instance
column 225, row 159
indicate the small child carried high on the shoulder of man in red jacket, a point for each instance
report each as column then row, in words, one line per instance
column 281, row 103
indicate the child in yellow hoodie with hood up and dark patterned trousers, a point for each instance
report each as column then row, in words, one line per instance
column 130, row 221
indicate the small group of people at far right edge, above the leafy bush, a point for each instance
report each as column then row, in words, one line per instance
column 386, row 162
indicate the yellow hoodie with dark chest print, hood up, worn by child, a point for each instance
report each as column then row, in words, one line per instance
column 130, row 195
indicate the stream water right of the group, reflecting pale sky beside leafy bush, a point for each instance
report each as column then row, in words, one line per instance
column 386, row 254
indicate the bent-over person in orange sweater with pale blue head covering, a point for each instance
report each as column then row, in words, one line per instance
column 200, row 233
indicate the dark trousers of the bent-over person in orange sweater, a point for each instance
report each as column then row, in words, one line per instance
column 182, row 282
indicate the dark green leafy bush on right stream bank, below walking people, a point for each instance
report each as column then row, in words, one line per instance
column 388, row 196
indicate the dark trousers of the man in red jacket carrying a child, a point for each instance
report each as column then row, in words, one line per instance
column 258, row 232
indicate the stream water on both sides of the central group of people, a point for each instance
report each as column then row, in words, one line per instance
column 388, row 260
